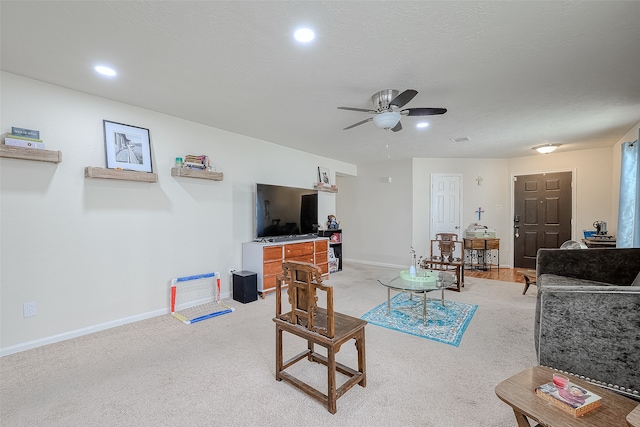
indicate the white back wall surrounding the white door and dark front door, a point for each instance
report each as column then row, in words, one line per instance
column 378, row 225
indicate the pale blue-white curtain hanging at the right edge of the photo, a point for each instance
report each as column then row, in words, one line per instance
column 628, row 235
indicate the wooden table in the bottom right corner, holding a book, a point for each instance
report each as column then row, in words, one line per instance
column 518, row 392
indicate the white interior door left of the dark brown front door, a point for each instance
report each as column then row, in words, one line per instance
column 446, row 196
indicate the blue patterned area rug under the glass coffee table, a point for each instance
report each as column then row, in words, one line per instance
column 444, row 324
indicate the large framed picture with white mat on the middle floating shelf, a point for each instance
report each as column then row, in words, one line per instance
column 127, row 147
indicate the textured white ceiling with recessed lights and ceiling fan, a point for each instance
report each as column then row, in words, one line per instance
column 511, row 74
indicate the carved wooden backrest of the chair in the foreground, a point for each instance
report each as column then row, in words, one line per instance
column 302, row 280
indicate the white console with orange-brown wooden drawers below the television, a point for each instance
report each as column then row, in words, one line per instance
column 265, row 258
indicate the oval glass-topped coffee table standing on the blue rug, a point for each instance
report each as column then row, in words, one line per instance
column 423, row 282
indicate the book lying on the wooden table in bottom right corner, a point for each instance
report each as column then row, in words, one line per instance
column 573, row 398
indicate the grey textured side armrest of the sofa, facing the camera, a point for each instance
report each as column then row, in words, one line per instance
column 592, row 331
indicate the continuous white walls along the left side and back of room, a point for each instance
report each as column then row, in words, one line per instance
column 95, row 253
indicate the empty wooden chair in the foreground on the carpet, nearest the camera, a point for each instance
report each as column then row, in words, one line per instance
column 317, row 325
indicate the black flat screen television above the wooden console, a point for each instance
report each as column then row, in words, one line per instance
column 285, row 211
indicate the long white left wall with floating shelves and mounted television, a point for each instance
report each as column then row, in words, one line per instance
column 94, row 253
